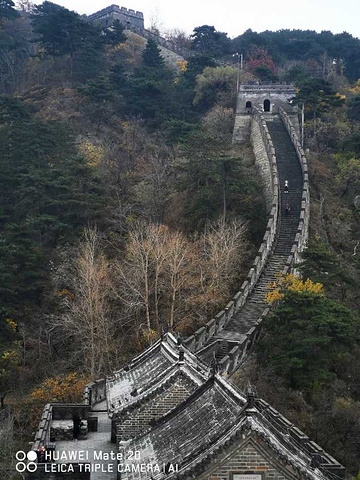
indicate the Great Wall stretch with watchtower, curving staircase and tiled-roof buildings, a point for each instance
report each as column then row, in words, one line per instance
column 175, row 403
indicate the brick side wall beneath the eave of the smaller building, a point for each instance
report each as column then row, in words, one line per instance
column 137, row 421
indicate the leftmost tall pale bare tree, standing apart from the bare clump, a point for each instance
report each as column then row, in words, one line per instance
column 87, row 316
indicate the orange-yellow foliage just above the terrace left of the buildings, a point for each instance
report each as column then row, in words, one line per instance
column 64, row 388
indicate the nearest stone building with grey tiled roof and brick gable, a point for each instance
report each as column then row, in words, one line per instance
column 218, row 434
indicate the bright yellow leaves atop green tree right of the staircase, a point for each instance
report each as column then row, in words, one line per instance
column 291, row 283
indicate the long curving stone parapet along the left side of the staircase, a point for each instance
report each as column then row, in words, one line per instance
column 204, row 334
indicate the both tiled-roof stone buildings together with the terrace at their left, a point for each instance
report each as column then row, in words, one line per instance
column 186, row 422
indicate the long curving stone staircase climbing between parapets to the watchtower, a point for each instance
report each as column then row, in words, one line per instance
column 246, row 318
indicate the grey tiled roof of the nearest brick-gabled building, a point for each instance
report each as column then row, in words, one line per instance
column 211, row 419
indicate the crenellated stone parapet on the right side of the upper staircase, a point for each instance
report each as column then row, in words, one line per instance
column 303, row 226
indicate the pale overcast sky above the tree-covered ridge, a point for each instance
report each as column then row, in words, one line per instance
column 236, row 16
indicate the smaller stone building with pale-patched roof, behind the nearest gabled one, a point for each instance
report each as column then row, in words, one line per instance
column 151, row 387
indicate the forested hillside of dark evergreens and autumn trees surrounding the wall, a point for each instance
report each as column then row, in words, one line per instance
column 125, row 212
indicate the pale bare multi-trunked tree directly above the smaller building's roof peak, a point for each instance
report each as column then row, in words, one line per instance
column 153, row 270
